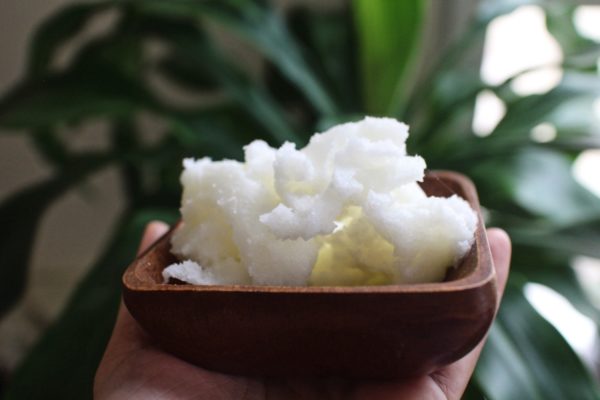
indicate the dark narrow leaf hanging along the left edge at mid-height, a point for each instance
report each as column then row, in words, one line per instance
column 19, row 217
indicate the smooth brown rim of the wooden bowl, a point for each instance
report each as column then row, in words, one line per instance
column 484, row 272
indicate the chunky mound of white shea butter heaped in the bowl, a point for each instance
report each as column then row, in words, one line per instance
column 344, row 210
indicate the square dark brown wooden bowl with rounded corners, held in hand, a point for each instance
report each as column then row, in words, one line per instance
column 351, row 332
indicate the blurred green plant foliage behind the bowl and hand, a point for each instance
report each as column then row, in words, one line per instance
column 318, row 69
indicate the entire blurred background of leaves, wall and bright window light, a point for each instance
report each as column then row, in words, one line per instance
column 99, row 101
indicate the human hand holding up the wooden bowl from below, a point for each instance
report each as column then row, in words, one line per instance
column 134, row 368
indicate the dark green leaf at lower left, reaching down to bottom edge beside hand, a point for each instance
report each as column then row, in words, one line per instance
column 63, row 363
